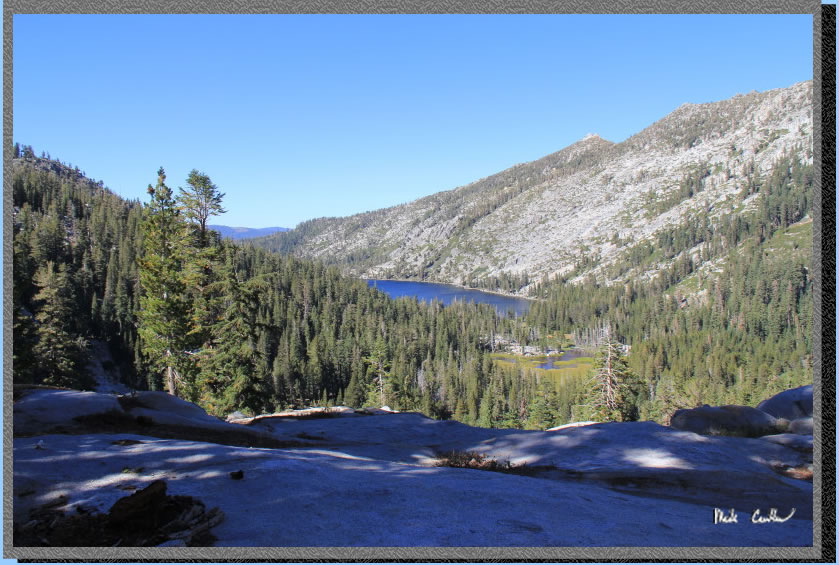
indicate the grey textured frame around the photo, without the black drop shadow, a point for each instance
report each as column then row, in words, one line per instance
column 12, row 7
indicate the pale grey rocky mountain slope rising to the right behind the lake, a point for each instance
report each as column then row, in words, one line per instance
column 576, row 211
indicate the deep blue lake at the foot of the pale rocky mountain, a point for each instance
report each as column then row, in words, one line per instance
column 447, row 293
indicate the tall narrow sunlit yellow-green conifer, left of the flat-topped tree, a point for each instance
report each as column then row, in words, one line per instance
column 164, row 309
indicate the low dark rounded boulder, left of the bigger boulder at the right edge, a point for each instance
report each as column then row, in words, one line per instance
column 730, row 420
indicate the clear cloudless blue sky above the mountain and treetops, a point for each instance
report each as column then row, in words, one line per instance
column 302, row 116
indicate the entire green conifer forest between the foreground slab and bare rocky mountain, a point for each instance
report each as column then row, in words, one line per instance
column 727, row 319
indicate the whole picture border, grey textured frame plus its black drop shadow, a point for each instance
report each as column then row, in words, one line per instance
column 824, row 393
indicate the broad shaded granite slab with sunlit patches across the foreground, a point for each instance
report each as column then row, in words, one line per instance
column 371, row 481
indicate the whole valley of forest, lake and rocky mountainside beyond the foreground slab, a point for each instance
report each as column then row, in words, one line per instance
column 706, row 289
